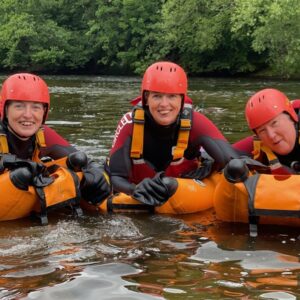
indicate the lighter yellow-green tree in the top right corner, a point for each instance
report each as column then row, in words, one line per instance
column 274, row 30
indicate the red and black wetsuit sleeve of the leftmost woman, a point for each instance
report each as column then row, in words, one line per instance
column 56, row 146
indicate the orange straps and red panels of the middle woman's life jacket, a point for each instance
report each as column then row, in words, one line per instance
column 179, row 164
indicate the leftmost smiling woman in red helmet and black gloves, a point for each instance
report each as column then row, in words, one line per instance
column 24, row 108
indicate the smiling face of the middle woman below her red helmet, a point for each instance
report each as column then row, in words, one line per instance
column 164, row 108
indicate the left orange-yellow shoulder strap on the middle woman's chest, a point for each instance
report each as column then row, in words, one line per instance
column 138, row 134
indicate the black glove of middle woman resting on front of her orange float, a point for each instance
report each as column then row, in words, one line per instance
column 155, row 191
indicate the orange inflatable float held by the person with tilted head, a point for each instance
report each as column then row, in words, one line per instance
column 258, row 198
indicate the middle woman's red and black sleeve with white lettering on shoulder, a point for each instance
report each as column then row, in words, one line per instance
column 120, row 164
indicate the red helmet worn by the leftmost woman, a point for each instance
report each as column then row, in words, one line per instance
column 24, row 87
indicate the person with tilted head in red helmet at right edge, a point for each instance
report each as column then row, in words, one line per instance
column 274, row 121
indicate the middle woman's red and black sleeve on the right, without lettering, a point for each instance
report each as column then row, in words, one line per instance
column 205, row 134
